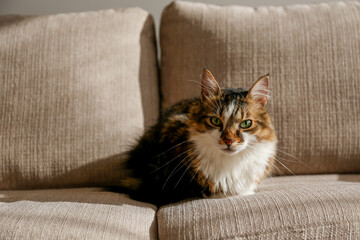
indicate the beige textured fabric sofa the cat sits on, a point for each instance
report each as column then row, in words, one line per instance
column 76, row 90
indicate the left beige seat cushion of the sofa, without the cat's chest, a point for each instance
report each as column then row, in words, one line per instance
column 83, row 213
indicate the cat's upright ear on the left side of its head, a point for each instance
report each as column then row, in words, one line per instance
column 209, row 86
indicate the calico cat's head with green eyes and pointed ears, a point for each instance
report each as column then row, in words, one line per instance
column 232, row 119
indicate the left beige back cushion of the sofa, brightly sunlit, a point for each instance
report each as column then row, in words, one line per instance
column 76, row 90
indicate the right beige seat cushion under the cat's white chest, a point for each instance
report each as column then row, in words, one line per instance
column 292, row 207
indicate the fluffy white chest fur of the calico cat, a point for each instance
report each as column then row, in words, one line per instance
column 233, row 174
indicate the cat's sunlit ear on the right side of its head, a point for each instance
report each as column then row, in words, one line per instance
column 260, row 90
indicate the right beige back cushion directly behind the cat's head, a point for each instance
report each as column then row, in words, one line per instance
column 312, row 54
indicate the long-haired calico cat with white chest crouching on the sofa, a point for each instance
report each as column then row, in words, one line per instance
column 222, row 143
